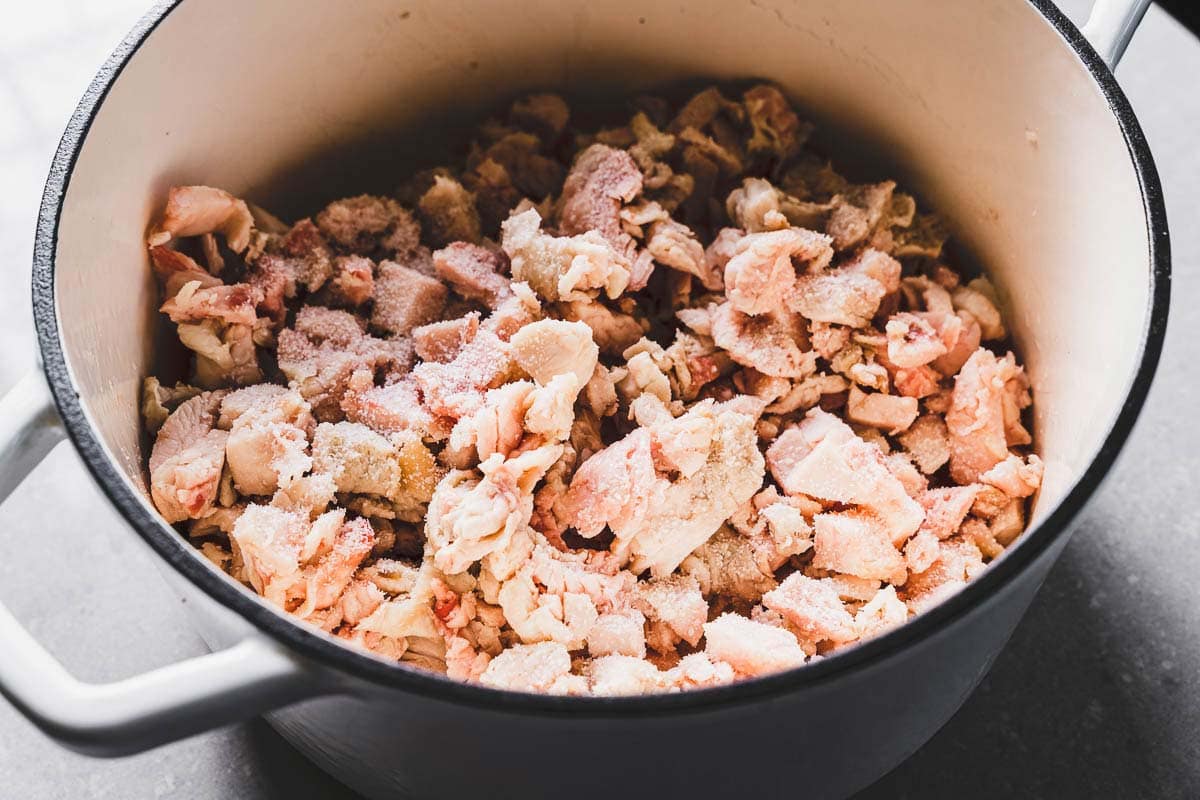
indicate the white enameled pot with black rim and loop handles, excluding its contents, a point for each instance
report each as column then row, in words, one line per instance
column 999, row 113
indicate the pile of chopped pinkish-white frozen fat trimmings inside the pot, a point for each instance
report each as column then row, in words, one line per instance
column 652, row 408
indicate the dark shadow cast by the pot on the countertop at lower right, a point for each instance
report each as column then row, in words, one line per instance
column 1075, row 706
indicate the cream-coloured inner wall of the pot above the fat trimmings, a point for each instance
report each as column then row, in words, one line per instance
column 981, row 109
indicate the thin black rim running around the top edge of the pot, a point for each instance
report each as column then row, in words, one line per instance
column 328, row 653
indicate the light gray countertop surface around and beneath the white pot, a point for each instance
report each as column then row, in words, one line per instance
column 1099, row 694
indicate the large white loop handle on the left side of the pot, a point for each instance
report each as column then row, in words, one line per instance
column 140, row 713
